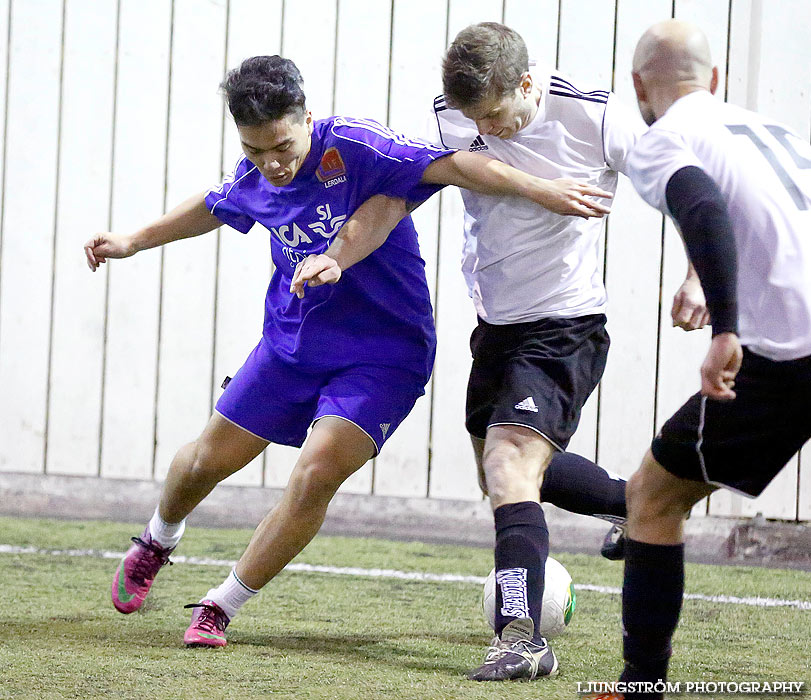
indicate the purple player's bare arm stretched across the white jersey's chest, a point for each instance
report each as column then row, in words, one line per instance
column 481, row 174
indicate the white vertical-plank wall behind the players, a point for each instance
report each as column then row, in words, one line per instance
column 187, row 316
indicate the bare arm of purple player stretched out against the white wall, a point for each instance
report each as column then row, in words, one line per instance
column 188, row 219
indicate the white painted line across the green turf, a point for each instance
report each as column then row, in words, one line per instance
column 757, row 602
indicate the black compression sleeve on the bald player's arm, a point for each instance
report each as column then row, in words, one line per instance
column 699, row 209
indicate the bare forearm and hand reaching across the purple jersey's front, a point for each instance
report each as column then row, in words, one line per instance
column 364, row 232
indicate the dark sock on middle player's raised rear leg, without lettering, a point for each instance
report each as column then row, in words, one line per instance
column 578, row 485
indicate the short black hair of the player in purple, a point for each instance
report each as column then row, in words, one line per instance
column 263, row 89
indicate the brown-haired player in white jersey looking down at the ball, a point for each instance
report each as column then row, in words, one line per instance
column 540, row 345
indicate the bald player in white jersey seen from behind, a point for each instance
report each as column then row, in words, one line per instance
column 738, row 185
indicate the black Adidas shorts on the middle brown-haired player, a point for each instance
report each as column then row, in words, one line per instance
column 536, row 374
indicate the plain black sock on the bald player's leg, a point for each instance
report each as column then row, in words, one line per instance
column 651, row 602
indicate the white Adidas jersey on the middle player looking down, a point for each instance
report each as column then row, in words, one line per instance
column 522, row 262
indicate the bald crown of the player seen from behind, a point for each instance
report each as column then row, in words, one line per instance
column 673, row 52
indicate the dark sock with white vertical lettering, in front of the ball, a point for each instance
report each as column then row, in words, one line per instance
column 522, row 545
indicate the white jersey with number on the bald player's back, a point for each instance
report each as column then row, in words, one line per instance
column 764, row 173
